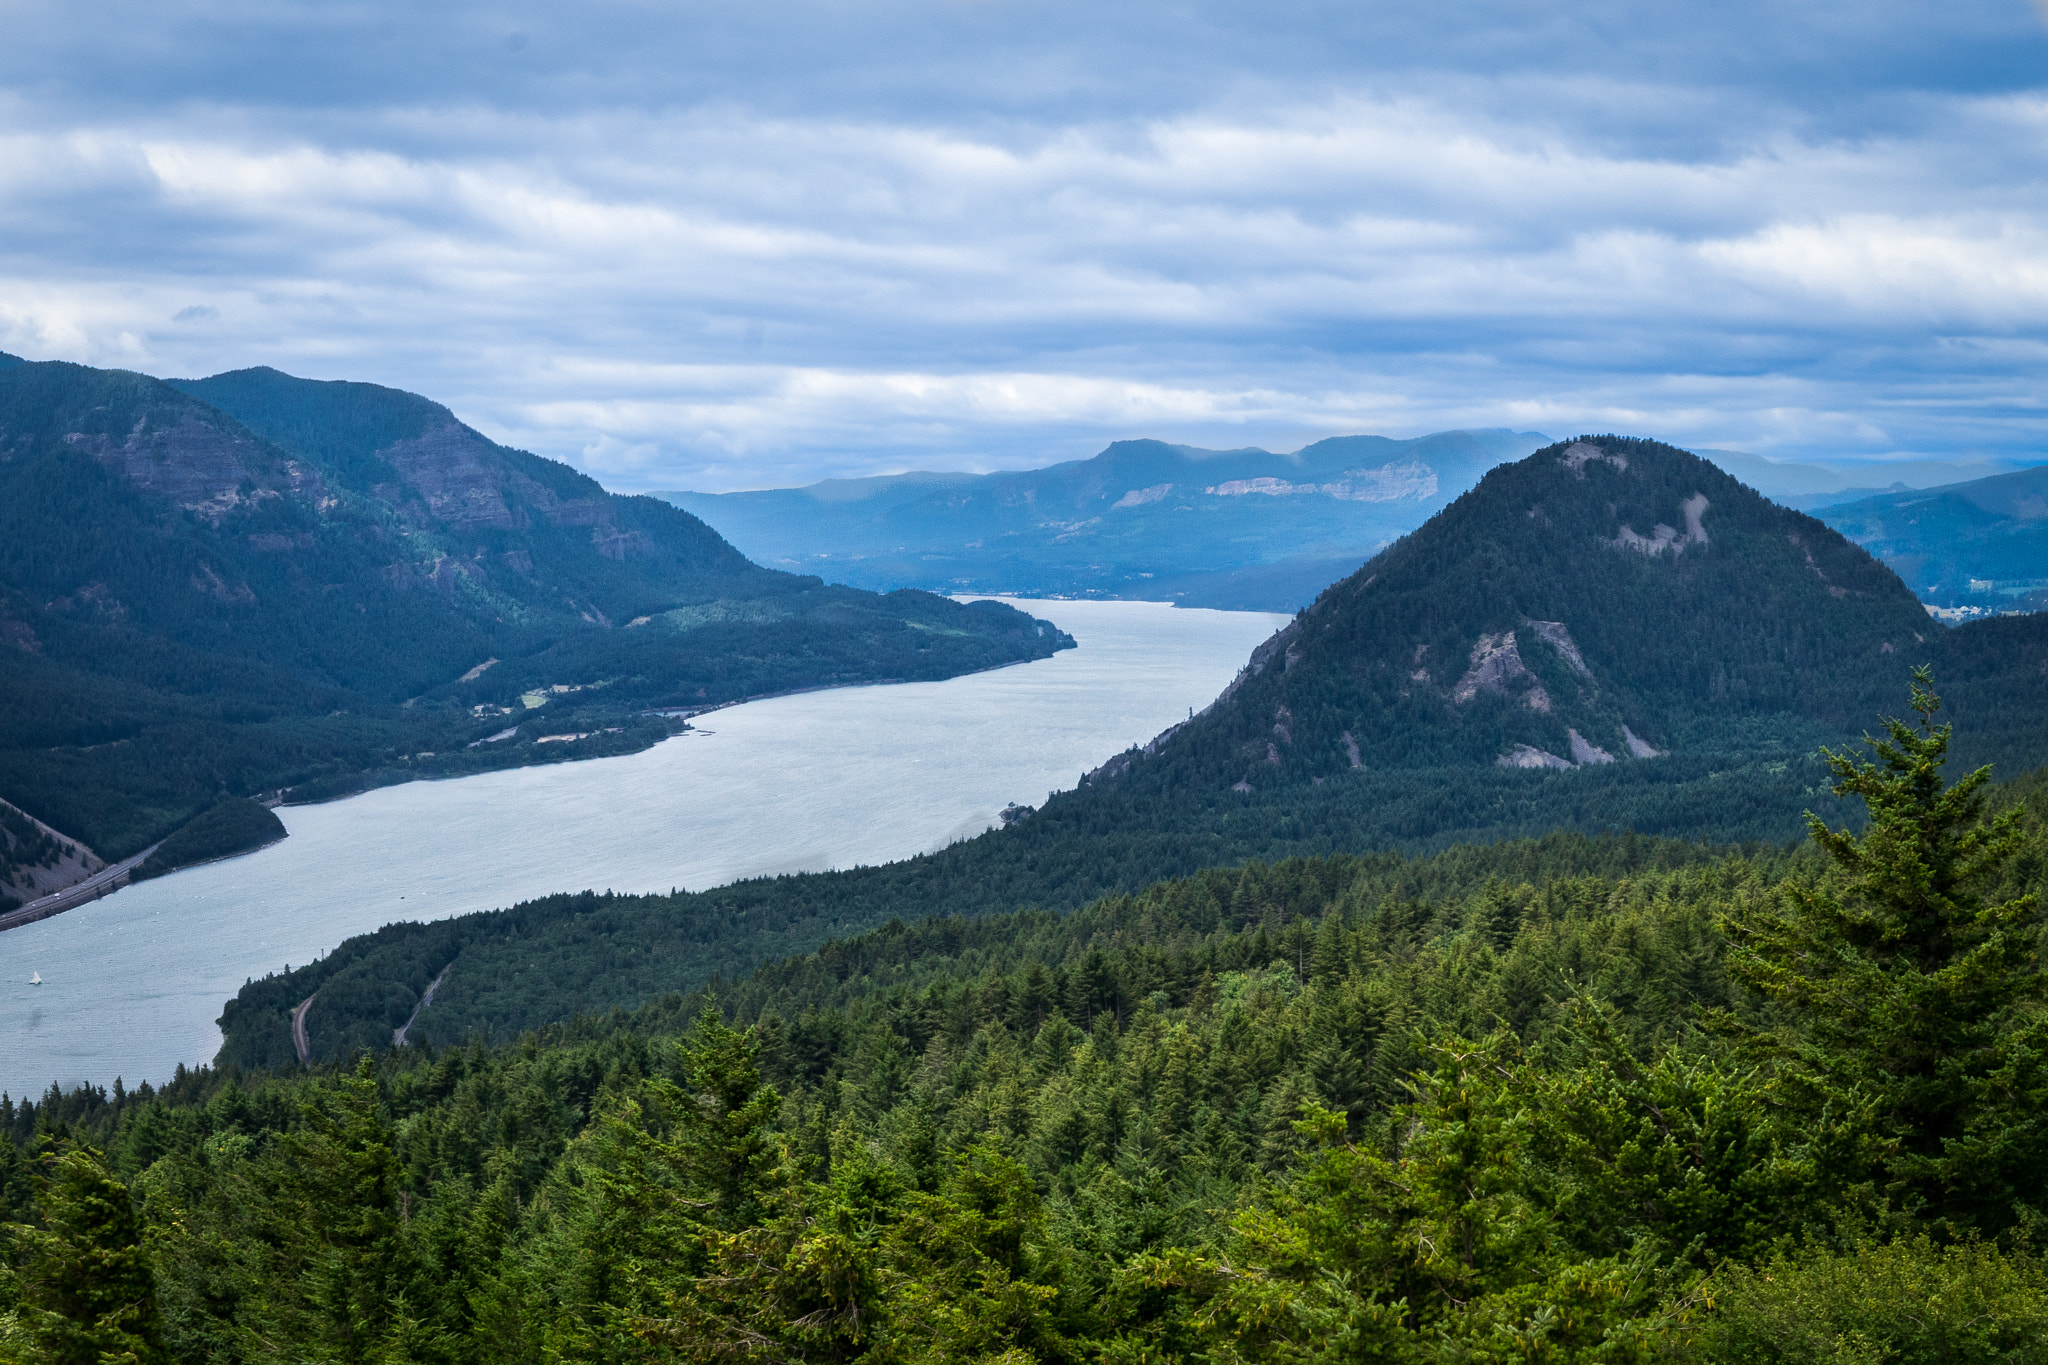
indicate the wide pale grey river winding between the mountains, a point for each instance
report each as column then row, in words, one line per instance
column 134, row 983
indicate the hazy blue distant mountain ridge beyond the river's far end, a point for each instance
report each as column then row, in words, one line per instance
column 1146, row 519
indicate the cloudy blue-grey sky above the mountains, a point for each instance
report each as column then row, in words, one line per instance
column 718, row 247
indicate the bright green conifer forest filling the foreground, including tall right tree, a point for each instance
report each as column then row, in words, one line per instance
column 1560, row 1100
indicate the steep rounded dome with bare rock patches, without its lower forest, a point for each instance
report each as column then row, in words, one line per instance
column 1607, row 601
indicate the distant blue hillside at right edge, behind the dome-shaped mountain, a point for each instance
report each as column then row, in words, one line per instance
column 1981, row 543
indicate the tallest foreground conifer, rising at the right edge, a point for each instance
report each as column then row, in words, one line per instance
column 1906, row 981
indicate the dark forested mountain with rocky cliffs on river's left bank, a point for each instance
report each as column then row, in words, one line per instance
column 251, row 582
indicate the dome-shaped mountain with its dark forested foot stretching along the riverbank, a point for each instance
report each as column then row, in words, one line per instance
column 1607, row 635
